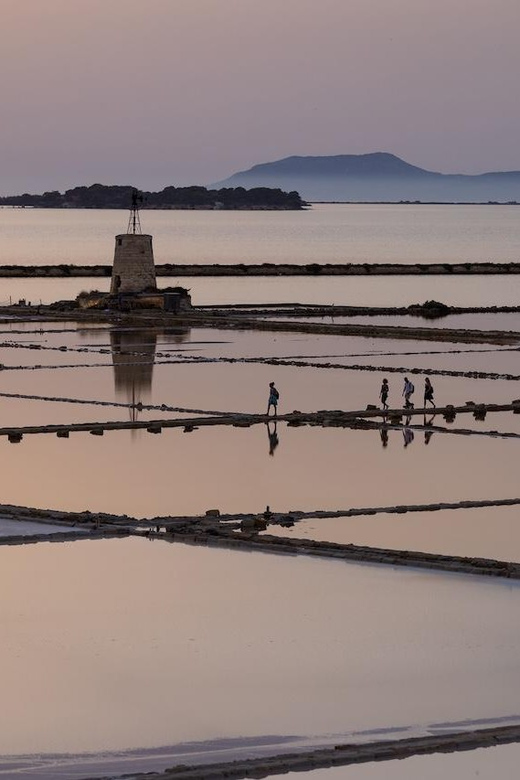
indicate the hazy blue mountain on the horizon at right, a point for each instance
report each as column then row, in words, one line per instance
column 375, row 177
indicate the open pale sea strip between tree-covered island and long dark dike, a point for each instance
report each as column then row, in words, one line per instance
column 323, row 234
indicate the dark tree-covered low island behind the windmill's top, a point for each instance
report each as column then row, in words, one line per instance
column 100, row 196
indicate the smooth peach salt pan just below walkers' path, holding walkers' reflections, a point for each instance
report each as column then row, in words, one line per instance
column 231, row 469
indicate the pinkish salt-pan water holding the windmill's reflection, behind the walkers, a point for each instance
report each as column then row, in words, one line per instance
column 117, row 365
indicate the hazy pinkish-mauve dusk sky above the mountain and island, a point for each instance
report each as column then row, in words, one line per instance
column 159, row 92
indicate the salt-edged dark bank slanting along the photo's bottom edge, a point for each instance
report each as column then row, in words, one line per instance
column 270, row 754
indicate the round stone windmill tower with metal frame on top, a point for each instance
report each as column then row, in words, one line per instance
column 134, row 269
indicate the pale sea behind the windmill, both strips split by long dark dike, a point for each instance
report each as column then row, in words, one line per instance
column 326, row 233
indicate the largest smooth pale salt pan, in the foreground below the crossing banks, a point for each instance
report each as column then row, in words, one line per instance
column 154, row 644
